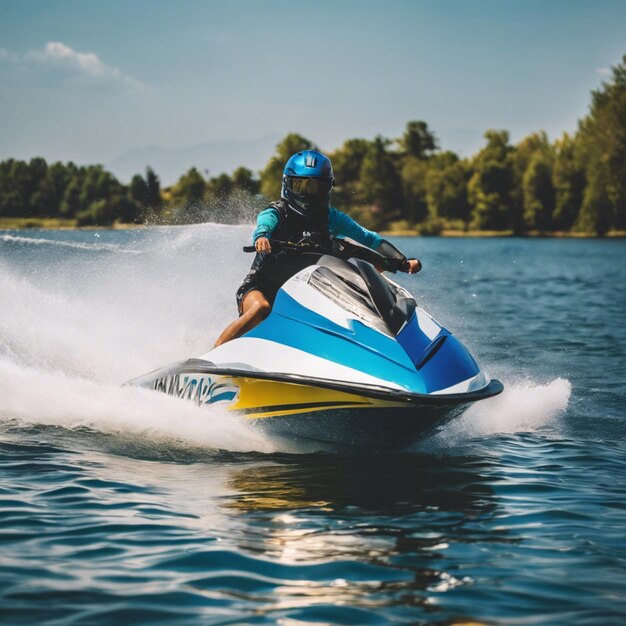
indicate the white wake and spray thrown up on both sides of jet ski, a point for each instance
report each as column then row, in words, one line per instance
column 75, row 324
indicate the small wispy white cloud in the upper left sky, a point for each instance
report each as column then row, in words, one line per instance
column 70, row 65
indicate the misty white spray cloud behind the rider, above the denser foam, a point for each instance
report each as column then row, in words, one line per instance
column 108, row 317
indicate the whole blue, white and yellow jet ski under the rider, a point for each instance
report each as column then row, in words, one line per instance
column 346, row 358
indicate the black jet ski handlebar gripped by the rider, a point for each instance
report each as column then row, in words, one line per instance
column 340, row 248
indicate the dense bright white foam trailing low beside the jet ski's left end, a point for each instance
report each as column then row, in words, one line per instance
column 36, row 397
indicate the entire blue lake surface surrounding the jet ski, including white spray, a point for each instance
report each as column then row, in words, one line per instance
column 119, row 505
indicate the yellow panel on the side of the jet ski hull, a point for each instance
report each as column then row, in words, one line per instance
column 267, row 398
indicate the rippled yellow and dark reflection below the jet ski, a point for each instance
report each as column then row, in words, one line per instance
column 397, row 515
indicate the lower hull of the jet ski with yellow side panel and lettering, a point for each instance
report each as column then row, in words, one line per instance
column 327, row 414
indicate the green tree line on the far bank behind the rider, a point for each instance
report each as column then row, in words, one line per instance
column 576, row 183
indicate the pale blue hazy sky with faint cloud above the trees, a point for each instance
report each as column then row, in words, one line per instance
column 90, row 81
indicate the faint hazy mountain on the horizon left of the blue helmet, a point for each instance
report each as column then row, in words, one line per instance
column 214, row 156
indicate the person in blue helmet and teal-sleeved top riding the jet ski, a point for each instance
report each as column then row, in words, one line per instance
column 303, row 211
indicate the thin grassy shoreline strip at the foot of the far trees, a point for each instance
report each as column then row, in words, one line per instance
column 18, row 223
